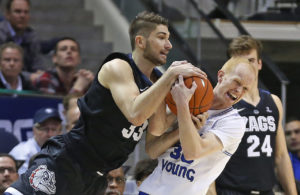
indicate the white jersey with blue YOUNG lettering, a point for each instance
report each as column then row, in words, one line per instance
column 175, row 175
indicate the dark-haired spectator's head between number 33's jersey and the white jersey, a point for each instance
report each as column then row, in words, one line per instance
column 143, row 169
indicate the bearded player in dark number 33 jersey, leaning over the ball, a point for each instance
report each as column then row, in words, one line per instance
column 127, row 91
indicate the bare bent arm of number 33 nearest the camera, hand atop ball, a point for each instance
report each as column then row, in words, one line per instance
column 117, row 76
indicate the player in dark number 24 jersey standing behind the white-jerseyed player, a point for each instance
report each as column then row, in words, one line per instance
column 251, row 170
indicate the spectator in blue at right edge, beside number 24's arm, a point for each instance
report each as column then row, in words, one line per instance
column 292, row 135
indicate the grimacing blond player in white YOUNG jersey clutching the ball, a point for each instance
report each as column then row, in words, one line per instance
column 190, row 159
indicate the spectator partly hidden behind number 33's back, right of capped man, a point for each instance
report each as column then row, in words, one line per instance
column 71, row 110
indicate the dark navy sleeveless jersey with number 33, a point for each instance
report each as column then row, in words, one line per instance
column 103, row 138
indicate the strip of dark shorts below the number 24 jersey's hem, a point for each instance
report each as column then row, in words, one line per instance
column 228, row 191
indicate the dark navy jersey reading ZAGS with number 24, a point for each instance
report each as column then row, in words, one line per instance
column 252, row 165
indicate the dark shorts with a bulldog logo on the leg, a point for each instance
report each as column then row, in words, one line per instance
column 54, row 171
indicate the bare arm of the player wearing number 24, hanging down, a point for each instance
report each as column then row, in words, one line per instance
column 282, row 159
